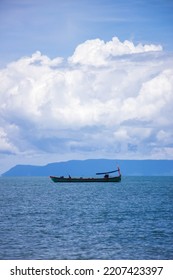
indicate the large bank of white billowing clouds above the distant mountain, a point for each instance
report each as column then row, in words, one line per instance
column 109, row 99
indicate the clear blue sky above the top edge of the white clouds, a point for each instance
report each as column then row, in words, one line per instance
column 56, row 27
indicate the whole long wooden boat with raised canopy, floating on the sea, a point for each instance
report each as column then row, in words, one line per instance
column 105, row 179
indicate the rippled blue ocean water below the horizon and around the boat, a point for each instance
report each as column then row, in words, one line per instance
column 40, row 219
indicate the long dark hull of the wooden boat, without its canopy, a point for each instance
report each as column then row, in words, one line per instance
column 85, row 180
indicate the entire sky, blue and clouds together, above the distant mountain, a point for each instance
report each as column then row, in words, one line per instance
column 85, row 79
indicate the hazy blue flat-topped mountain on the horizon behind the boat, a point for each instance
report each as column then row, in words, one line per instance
column 91, row 166
